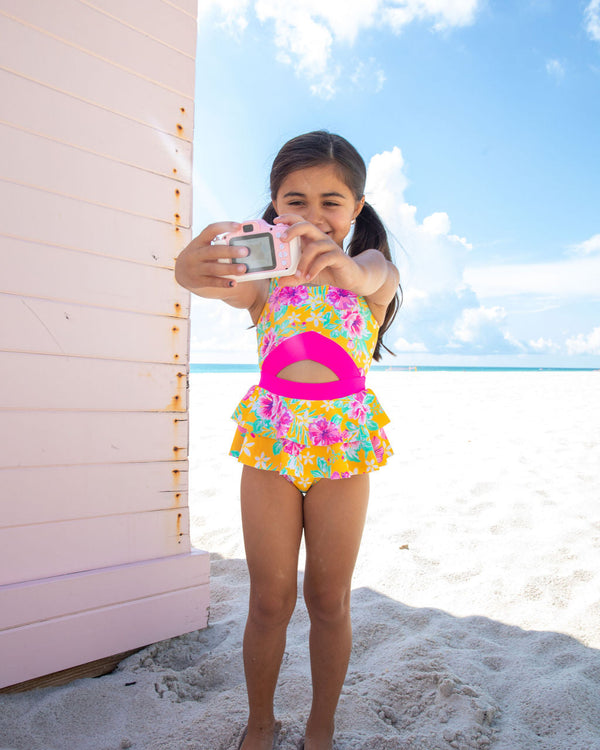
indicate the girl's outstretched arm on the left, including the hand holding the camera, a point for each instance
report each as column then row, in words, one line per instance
column 198, row 269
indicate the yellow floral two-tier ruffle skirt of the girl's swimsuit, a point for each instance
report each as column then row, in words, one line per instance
column 310, row 440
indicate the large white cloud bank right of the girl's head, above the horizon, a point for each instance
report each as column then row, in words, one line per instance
column 445, row 308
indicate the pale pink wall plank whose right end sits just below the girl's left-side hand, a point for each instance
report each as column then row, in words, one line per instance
column 88, row 279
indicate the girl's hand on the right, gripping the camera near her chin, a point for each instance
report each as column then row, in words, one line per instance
column 321, row 256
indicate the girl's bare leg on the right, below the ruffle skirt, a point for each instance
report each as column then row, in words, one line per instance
column 334, row 517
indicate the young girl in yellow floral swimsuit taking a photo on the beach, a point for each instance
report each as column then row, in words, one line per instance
column 309, row 433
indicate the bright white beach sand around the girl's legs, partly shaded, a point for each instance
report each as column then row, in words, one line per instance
column 476, row 606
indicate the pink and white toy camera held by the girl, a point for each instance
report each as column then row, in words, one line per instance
column 269, row 255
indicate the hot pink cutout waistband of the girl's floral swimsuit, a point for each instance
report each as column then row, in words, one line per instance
column 311, row 345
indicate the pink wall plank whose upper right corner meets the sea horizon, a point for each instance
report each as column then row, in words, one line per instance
column 33, row 381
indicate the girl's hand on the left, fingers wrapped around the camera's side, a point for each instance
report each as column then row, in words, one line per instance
column 198, row 269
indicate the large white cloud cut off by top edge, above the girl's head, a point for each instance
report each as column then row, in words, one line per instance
column 310, row 34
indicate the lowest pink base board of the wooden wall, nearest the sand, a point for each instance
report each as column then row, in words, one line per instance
column 24, row 652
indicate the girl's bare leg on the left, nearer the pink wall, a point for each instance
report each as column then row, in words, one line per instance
column 272, row 522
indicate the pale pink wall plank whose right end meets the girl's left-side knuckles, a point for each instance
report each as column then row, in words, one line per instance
column 52, row 219
